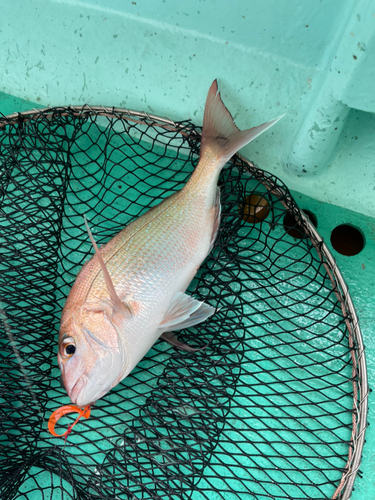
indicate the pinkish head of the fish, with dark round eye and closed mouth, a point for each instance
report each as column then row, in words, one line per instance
column 91, row 356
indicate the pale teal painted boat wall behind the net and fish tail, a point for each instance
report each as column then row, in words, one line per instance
column 313, row 60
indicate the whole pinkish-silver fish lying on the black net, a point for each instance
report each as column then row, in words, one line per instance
column 132, row 291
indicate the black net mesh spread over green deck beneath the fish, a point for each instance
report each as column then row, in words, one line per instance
column 270, row 409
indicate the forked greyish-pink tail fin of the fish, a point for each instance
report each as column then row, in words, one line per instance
column 220, row 131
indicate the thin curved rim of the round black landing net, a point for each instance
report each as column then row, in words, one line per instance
column 360, row 378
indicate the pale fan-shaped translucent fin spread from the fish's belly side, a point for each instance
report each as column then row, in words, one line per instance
column 184, row 311
